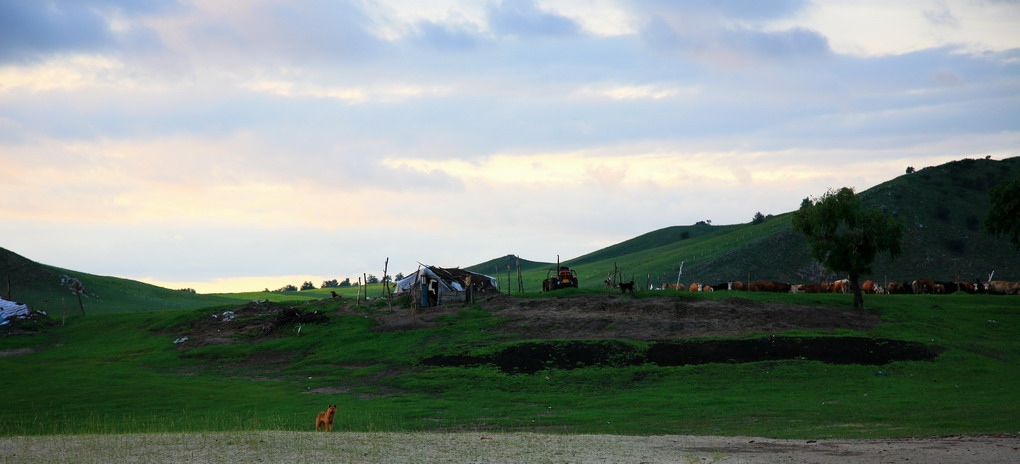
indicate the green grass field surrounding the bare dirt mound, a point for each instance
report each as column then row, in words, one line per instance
column 117, row 374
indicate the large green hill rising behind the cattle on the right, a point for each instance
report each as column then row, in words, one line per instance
column 942, row 207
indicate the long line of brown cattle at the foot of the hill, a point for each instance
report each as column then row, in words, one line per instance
column 919, row 287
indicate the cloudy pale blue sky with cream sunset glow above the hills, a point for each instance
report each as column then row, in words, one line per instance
column 242, row 145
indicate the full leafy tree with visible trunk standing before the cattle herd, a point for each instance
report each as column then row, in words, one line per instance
column 845, row 237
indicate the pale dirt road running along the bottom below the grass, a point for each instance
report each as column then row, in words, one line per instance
column 498, row 448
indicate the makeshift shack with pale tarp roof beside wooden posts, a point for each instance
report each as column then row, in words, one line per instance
column 433, row 286
